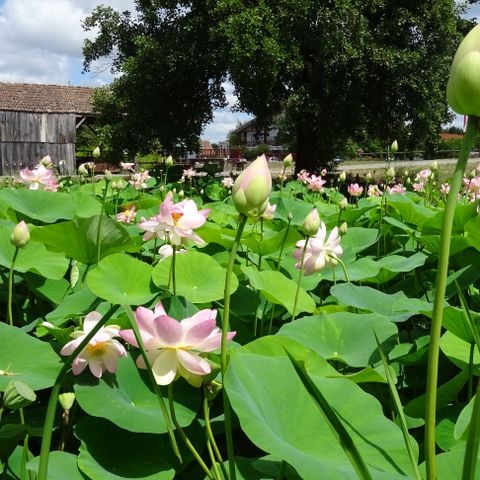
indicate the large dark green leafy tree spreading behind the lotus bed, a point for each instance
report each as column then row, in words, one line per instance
column 336, row 69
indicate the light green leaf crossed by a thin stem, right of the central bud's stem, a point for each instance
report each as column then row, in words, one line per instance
column 278, row 289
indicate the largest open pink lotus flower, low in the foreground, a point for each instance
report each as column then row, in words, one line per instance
column 174, row 348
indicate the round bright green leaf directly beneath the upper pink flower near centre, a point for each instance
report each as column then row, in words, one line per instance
column 198, row 277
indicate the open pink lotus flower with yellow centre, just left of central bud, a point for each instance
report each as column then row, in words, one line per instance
column 176, row 222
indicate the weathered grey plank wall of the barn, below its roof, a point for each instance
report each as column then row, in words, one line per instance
column 27, row 137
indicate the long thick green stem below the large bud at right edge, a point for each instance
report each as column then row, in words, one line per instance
column 439, row 299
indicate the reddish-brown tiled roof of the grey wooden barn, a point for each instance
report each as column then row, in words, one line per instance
column 29, row 97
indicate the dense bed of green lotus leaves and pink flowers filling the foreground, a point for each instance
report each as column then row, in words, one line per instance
column 176, row 330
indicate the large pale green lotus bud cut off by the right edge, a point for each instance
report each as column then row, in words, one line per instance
column 463, row 87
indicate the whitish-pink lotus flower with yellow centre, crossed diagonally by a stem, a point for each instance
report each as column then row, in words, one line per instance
column 102, row 350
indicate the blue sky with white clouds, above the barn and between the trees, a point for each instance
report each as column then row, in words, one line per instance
column 41, row 42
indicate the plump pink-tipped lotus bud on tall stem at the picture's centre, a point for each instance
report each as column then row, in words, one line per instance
column 252, row 188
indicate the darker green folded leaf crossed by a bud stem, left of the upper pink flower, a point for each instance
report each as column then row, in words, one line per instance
column 77, row 238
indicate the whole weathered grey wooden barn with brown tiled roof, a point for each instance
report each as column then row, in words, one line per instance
column 38, row 120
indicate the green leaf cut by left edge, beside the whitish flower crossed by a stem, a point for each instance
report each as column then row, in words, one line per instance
column 24, row 358
